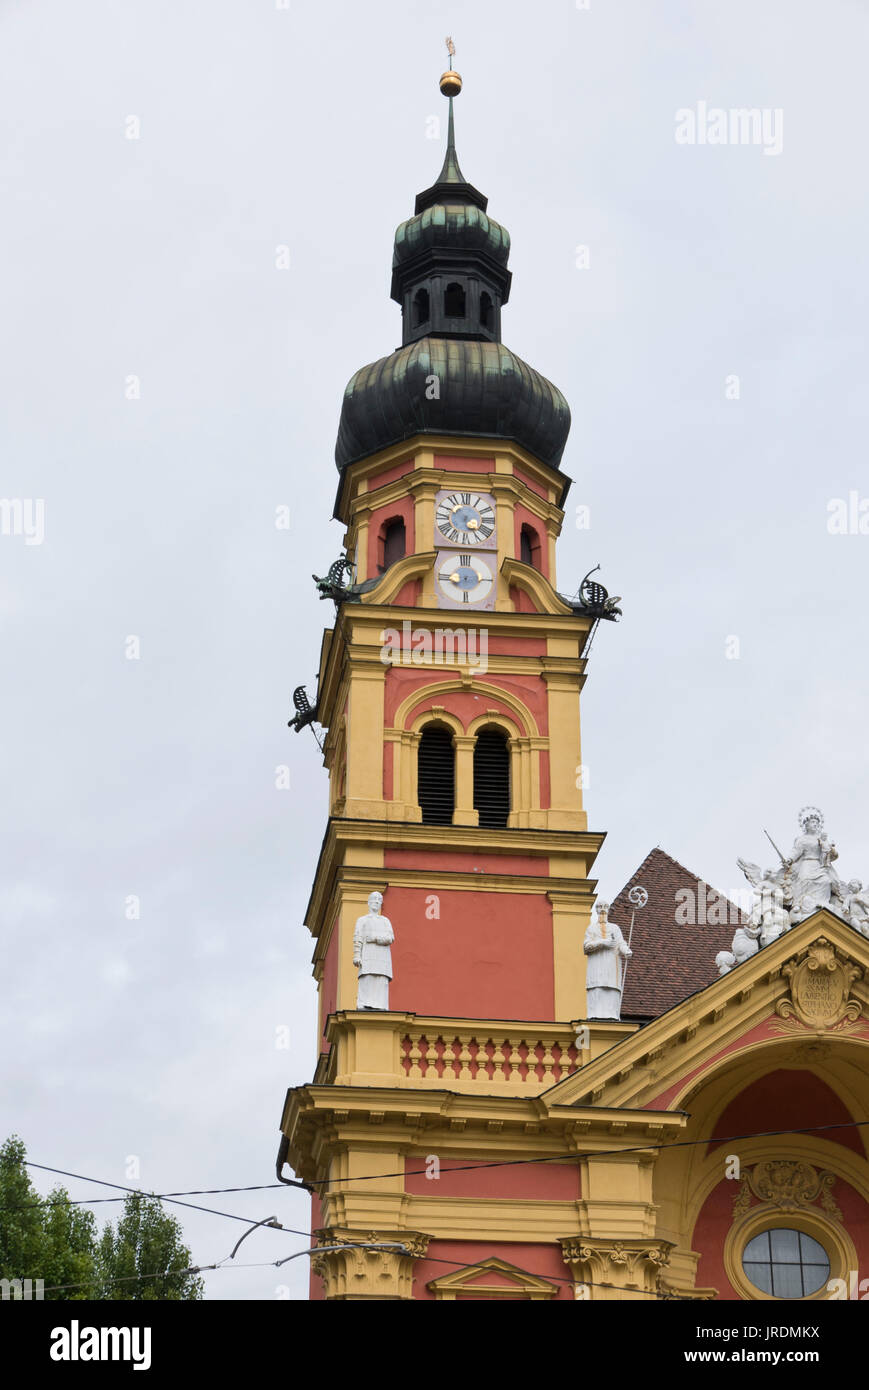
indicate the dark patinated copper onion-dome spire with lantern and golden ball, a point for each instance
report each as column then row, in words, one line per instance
column 453, row 376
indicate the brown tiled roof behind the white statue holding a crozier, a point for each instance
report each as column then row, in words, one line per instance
column 672, row 960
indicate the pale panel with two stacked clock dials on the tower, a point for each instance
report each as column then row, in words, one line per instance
column 466, row 543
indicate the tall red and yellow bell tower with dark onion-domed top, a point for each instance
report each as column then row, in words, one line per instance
column 450, row 692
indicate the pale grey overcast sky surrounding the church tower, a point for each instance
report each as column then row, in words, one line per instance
column 308, row 127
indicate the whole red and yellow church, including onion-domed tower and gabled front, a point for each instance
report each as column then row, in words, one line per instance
column 469, row 1132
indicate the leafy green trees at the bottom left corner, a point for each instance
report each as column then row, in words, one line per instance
column 47, row 1238
